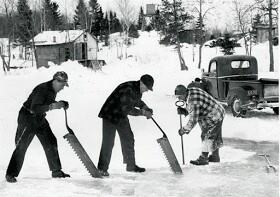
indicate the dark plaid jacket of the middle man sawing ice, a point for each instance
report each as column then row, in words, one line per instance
column 123, row 101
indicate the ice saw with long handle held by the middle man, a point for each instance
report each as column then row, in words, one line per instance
column 168, row 151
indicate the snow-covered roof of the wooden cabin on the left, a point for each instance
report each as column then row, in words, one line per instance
column 57, row 37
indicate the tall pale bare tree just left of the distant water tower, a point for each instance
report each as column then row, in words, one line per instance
column 128, row 15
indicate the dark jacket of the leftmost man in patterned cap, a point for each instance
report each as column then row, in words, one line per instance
column 39, row 100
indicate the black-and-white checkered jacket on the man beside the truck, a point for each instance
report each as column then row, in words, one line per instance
column 204, row 109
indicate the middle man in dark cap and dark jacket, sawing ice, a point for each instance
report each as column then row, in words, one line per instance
column 125, row 100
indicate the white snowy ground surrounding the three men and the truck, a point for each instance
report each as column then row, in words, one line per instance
column 241, row 172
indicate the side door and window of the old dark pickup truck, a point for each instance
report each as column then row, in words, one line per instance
column 212, row 80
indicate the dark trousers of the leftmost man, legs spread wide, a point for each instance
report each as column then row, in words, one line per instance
column 29, row 126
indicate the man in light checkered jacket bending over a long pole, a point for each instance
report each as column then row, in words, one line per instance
column 202, row 108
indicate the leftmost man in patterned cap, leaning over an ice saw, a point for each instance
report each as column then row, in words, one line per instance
column 32, row 121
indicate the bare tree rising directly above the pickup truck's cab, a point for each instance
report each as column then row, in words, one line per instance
column 243, row 17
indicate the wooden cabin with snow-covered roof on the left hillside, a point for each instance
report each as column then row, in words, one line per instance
column 60, row 46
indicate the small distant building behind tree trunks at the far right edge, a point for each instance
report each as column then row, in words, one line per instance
column 261, row 31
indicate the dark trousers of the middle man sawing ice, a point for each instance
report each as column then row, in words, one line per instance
column 126, row 139
